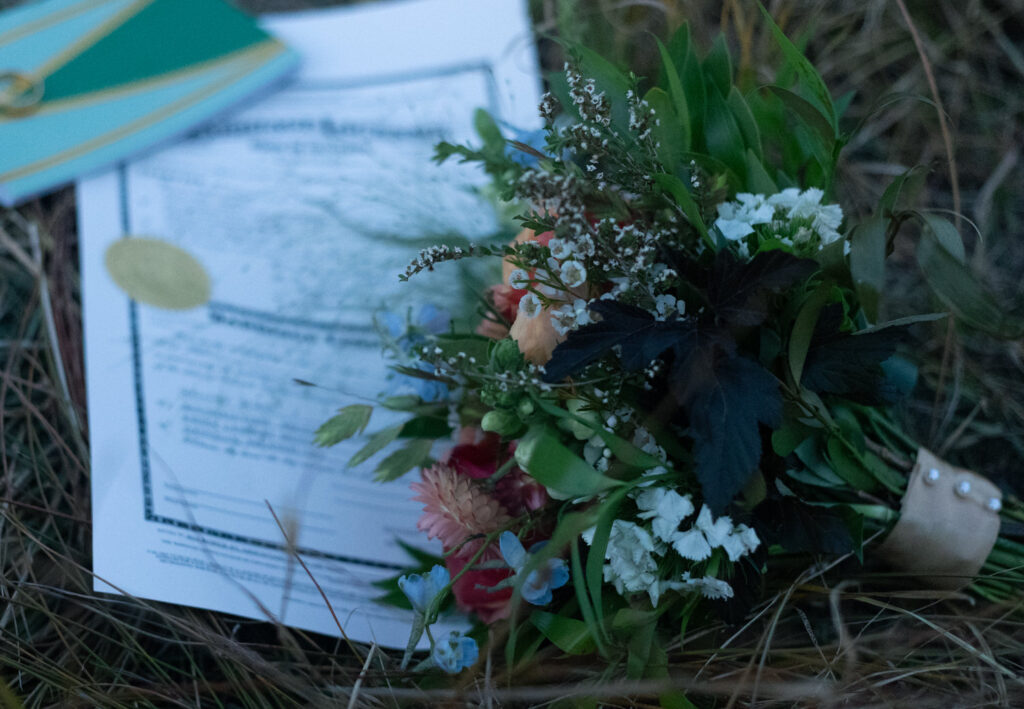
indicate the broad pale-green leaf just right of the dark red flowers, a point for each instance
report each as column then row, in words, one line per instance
column 544, row 457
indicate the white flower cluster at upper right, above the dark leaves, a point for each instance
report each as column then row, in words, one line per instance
column 738, row 220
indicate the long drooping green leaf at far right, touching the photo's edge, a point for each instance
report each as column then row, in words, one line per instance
column 961, row 293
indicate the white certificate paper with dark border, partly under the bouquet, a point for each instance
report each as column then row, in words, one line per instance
column 304, row 208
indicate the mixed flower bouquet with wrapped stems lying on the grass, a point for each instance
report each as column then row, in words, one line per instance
column 682, row 388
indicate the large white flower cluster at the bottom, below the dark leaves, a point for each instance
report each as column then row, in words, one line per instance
column 632, row 554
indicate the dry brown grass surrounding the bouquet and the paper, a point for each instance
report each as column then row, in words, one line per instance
column 816, row 645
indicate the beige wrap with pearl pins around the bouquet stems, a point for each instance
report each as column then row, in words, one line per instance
column 949, row 524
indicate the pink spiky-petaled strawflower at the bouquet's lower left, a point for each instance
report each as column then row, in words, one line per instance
column 455, row 508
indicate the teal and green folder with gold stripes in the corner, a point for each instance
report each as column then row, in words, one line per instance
column 88, row 84
